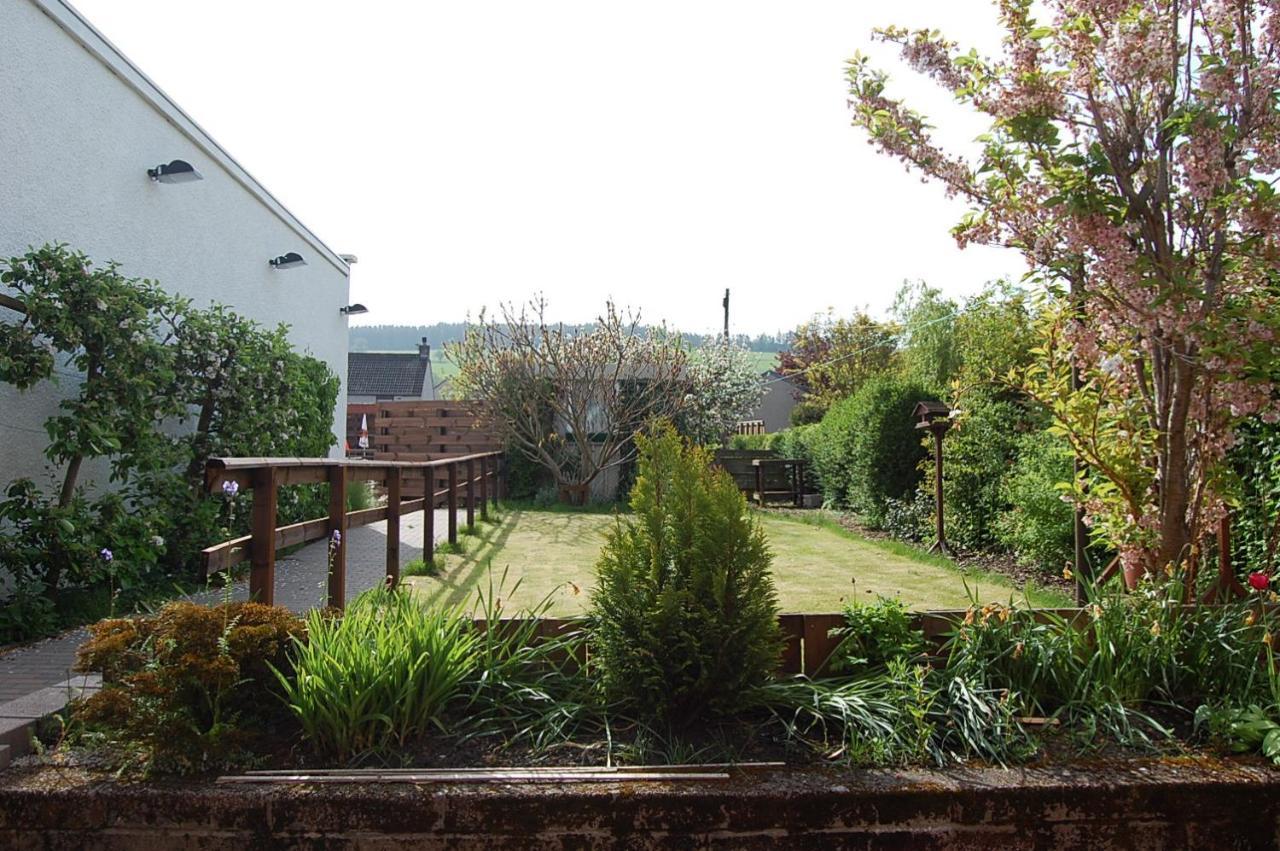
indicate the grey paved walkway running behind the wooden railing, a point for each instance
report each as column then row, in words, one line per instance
column 300, row 584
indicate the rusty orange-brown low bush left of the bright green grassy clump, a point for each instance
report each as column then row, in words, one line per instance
column 189, row 689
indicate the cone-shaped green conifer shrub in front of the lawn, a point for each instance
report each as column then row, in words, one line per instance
column 685, row 610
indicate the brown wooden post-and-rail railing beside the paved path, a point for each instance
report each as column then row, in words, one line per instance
column 266, row 477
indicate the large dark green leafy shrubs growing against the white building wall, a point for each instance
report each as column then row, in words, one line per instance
column 149, row 360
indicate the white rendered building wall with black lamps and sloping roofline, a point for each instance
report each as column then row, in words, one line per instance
column 81, row 127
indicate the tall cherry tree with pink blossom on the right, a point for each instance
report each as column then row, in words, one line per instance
column 1132, row 159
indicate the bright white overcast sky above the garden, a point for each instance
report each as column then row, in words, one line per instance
column 651, row 153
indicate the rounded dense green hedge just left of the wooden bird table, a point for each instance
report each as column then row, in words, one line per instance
column 867, row 451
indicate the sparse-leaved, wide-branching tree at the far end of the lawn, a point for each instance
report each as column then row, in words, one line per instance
column 572, row 399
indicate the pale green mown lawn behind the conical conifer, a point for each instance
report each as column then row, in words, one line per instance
column 817, row 568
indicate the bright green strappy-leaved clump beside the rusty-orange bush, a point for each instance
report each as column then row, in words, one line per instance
column 381, row 676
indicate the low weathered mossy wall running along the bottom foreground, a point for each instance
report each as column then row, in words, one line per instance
column 1116, row 806
